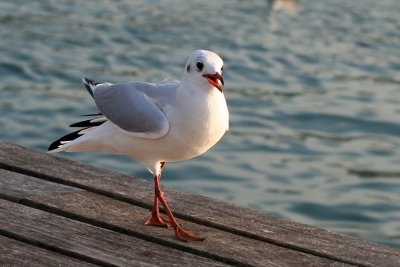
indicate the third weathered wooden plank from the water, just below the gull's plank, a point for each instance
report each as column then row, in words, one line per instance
column 106, row 247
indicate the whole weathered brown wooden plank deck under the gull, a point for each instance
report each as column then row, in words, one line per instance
column 57, row 212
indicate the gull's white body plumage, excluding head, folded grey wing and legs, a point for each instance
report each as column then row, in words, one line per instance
column 184, row 139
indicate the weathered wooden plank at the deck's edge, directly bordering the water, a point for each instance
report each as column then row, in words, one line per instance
column 204, row 210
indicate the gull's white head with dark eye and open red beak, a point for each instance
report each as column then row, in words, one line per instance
column 204, row 68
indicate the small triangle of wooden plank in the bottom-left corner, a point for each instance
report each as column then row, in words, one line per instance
column 14, row 253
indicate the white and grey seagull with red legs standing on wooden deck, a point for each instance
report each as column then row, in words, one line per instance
column 156, row 123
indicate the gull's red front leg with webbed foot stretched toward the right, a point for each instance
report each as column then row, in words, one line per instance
column 180, row 233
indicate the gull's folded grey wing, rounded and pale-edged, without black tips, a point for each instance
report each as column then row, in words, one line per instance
column 128, row 106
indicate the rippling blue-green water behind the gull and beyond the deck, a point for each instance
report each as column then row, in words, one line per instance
column 313, row 92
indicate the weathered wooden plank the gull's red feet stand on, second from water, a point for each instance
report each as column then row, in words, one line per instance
column 124, row 217
